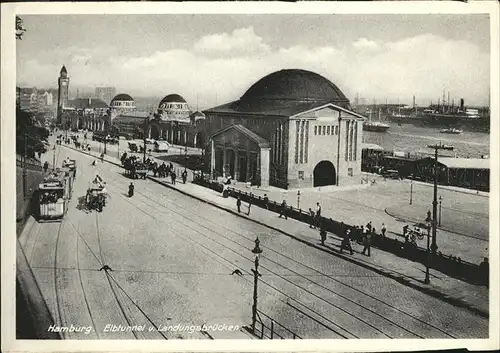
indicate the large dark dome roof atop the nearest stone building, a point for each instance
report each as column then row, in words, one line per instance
column 294, row 84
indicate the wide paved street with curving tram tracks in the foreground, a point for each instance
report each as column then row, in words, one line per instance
column 172, row 257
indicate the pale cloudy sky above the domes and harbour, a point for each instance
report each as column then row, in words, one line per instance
column 214, row 59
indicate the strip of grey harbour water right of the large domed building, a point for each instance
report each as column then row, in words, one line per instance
column 414, row 139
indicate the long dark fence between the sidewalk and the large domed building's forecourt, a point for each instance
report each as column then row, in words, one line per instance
column 450, row 265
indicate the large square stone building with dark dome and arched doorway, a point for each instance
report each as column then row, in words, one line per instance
column 291, row 129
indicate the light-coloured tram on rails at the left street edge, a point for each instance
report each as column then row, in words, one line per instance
column 53, row 196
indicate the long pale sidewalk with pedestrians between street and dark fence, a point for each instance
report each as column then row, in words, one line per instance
column 452, row 290
